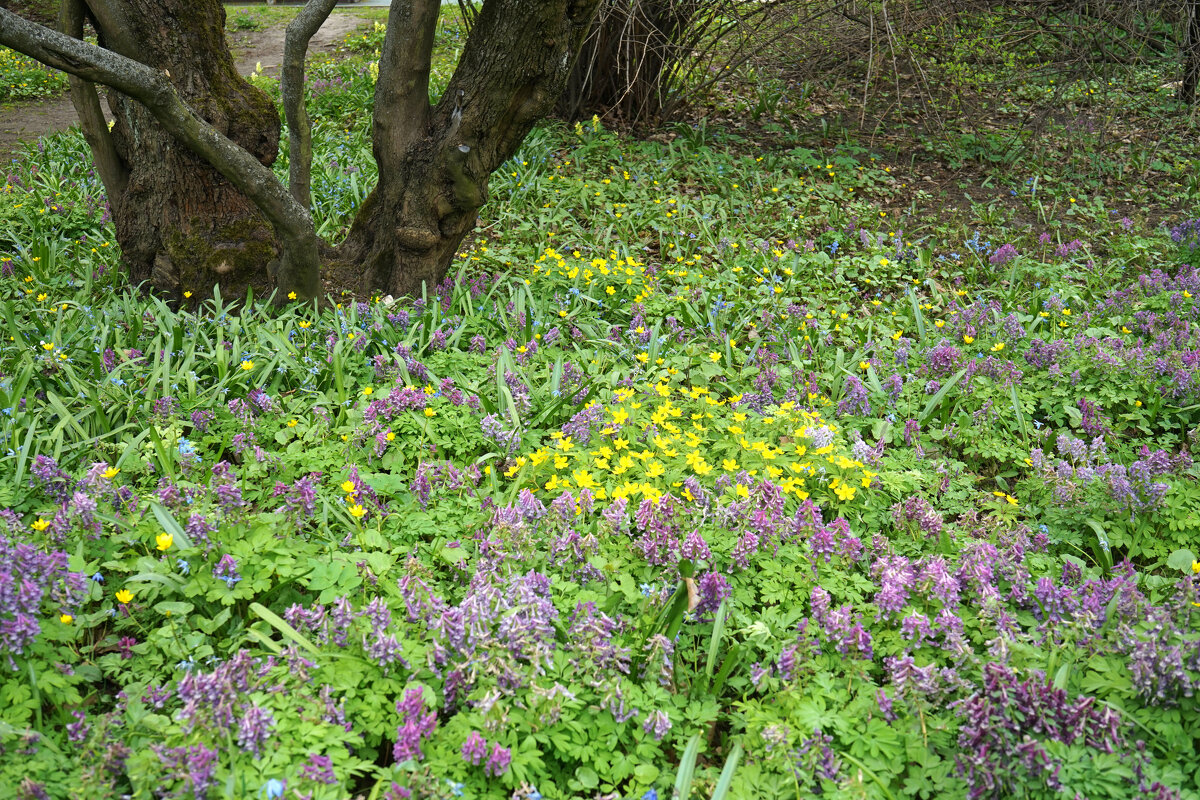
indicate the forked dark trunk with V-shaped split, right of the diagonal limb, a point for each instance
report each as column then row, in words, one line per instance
column 435, row 163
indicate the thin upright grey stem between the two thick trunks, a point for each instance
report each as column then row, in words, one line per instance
column 296, row 47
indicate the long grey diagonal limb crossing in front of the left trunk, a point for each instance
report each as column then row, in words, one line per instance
column 292, row 222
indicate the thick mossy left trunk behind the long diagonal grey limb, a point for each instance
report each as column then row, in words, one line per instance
column 181, row 224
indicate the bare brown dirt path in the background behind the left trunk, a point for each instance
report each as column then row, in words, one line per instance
column 29, row 121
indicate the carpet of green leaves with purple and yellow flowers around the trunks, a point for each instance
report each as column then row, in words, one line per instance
column 706, row 474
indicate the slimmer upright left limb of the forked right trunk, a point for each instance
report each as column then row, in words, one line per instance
column 403, row 93
